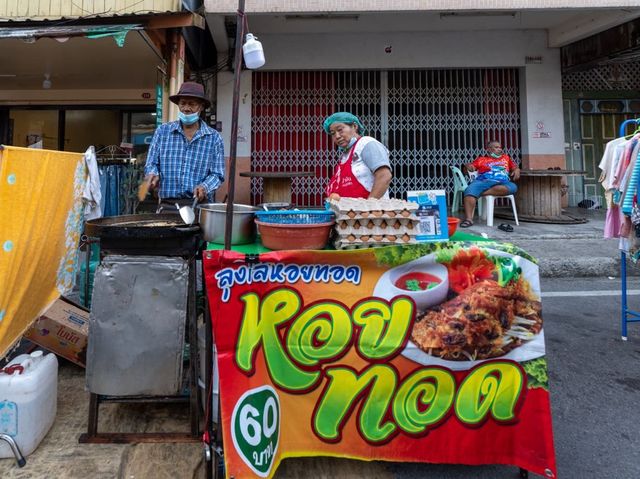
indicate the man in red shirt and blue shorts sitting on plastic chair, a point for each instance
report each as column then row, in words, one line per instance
column 495, row 172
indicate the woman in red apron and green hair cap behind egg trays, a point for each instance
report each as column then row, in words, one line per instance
column 364, row 170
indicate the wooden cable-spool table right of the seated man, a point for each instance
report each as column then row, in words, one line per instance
column 539, row 196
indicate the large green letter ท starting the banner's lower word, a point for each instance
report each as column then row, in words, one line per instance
column 339, row 397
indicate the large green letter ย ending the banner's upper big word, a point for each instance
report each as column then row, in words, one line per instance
column 384, row 326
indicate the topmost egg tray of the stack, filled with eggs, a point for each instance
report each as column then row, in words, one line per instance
column 358, row 208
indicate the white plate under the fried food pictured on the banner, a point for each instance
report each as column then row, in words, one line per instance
column 528, row 350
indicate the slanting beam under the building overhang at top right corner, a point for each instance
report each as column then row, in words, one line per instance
column 583, row 26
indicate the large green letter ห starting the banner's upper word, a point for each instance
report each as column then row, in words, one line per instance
column 259, row 327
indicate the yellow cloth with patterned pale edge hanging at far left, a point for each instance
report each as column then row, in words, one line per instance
column 40, row 226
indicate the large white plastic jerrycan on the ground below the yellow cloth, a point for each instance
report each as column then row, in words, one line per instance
column 28, row 400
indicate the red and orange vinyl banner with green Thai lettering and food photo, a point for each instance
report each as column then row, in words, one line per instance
column 425, row 353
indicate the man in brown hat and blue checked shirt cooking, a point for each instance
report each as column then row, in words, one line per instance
column 186, row 157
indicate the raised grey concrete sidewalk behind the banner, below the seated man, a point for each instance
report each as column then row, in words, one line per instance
column 575, row 250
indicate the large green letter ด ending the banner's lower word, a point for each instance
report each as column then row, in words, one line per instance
column 493, row 387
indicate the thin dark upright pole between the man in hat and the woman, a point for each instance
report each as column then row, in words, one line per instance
column 234, row 123
